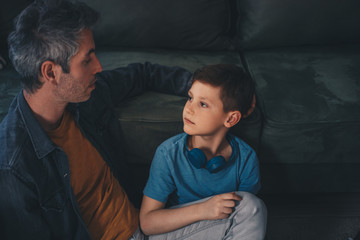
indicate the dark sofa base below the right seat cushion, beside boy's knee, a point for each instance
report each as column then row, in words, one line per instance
column 330, row 216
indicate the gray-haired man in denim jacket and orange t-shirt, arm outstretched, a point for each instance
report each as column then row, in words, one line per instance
column 62, row 170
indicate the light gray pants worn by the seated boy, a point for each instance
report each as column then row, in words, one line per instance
column 247, row 222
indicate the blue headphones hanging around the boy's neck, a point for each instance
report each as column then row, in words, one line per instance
column 199, row 160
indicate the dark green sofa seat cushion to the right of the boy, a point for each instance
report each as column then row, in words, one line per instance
column 310, row 99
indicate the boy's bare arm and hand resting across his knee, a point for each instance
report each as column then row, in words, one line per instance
column 154, row 219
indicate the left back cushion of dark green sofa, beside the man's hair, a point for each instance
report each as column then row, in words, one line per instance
column 186, row 24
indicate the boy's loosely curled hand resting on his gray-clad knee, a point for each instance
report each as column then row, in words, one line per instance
column 219, row 206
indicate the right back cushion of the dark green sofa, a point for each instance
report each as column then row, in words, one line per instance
column 272, row 23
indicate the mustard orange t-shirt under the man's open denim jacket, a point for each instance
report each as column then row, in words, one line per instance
column 104, row 206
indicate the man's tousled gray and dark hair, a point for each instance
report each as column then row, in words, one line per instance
column 47, row 30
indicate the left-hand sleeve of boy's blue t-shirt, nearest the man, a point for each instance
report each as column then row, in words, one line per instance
column 160, row 183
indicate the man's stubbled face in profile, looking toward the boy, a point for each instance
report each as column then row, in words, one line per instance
column 77, row 85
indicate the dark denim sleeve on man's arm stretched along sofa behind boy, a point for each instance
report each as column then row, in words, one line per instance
column 136, row 78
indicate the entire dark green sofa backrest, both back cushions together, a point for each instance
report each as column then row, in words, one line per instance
column 226, row 24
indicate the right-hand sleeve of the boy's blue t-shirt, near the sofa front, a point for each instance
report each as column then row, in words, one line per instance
column 250, row 174
